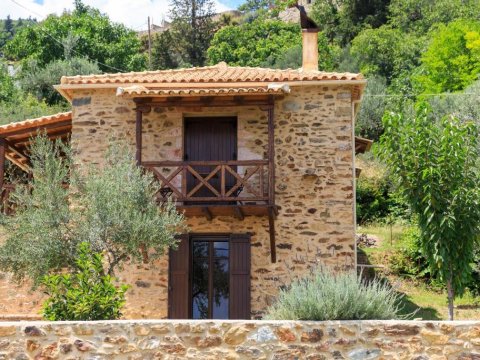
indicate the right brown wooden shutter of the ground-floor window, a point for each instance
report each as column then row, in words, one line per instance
column 240, row 276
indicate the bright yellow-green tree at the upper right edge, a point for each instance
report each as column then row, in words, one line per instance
column 452, row 60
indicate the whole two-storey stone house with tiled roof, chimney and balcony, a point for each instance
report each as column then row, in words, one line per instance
column 260, row 161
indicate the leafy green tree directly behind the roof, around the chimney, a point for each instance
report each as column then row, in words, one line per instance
column 265, row 43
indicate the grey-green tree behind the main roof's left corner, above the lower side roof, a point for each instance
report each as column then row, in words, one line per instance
column 39, row 80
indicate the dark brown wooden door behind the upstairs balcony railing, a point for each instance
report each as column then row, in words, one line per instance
column 210, row 139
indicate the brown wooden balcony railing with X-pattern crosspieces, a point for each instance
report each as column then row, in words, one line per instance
column 187, row 181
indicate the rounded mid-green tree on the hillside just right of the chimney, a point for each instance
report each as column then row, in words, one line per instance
column 386, row 52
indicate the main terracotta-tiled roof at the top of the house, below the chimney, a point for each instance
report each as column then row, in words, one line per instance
column 220, row 73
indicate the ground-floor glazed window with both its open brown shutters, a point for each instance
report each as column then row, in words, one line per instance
column 209, row 277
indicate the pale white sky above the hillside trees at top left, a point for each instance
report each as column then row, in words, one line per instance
column 132, row 13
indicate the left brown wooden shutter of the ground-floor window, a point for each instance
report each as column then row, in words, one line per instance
column 178, row 285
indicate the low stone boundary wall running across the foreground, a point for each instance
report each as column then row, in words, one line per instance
column 240, row 339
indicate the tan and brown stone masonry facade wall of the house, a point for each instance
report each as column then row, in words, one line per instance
column 314, row 183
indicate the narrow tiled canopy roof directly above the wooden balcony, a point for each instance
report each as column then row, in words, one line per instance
column 141, row 90
